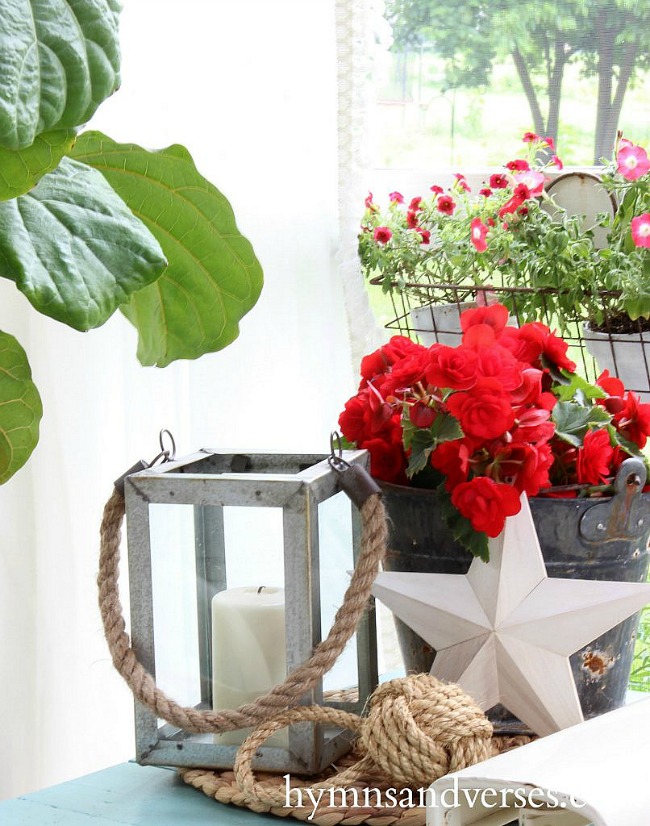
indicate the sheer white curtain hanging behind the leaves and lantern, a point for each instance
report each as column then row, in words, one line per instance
column 250, row 87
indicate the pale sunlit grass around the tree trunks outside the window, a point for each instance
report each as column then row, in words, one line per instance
column 413, row 124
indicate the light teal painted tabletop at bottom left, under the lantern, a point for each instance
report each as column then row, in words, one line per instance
column 129, row 795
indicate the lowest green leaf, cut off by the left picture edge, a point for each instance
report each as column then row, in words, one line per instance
column 20, row 408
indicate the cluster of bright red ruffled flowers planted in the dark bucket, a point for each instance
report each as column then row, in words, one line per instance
column 483, row 416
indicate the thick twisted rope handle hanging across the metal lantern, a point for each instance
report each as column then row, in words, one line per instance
column 366, row 495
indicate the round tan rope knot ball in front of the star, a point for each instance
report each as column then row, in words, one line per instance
column 419, row 729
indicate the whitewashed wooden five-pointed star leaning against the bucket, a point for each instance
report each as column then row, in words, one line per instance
column 504, row 631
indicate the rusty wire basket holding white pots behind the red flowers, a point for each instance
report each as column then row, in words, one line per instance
column 429, row 313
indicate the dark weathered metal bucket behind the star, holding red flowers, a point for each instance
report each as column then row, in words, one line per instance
column 600, row 538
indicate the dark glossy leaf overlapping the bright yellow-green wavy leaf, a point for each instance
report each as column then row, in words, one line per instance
column 74, row 248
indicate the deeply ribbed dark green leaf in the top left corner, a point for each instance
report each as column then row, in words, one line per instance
column 60, row 59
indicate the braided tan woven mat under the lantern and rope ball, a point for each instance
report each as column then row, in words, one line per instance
column 222, row 786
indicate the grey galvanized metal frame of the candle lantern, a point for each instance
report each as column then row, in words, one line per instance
column 209, row 481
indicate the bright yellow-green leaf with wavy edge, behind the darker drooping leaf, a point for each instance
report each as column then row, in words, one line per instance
column 213, row 277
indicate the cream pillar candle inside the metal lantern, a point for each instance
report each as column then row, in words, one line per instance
column 248, row 651
